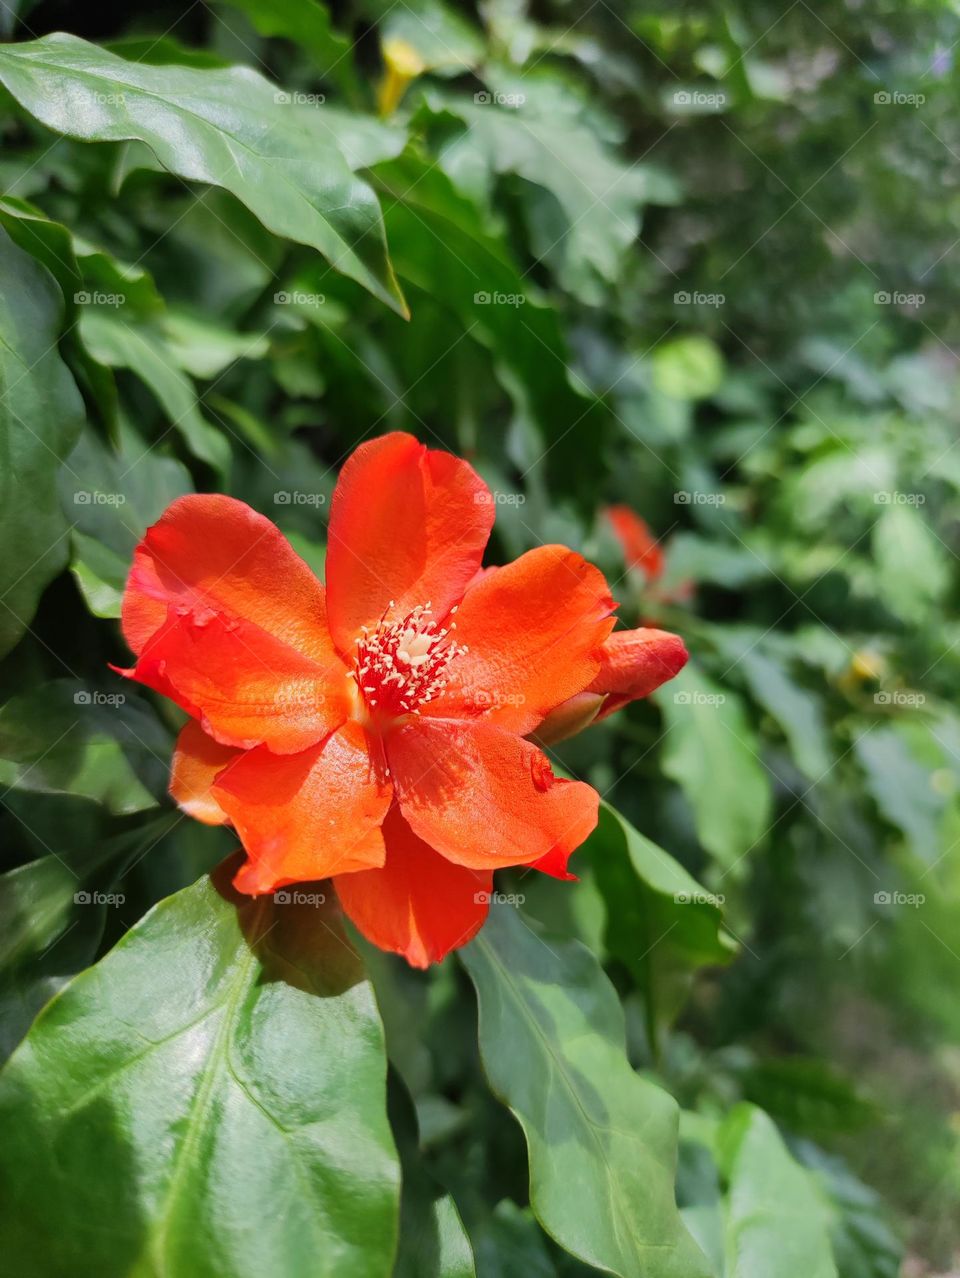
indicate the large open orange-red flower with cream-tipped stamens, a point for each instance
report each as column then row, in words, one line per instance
column 376, row 732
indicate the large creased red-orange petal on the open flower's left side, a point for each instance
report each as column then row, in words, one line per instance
column 232, row 624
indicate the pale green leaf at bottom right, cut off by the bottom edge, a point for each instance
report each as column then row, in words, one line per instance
column 777, row 1224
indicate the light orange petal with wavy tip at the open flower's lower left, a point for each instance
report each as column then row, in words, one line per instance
column 302, row 817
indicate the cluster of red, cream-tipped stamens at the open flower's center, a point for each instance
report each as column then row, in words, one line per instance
column 402, row 665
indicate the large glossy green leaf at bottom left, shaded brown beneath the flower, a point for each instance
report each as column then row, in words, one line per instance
column 209, row 1100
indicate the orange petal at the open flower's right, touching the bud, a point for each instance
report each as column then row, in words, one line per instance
column 534, row 632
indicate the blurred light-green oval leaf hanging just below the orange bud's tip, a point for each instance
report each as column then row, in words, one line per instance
column 710, row 751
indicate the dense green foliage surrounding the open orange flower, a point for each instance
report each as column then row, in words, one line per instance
column 696, row 260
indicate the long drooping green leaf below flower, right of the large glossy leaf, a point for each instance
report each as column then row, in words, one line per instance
column 601, row 1141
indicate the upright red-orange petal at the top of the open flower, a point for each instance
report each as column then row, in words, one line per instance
column 407, row 525
